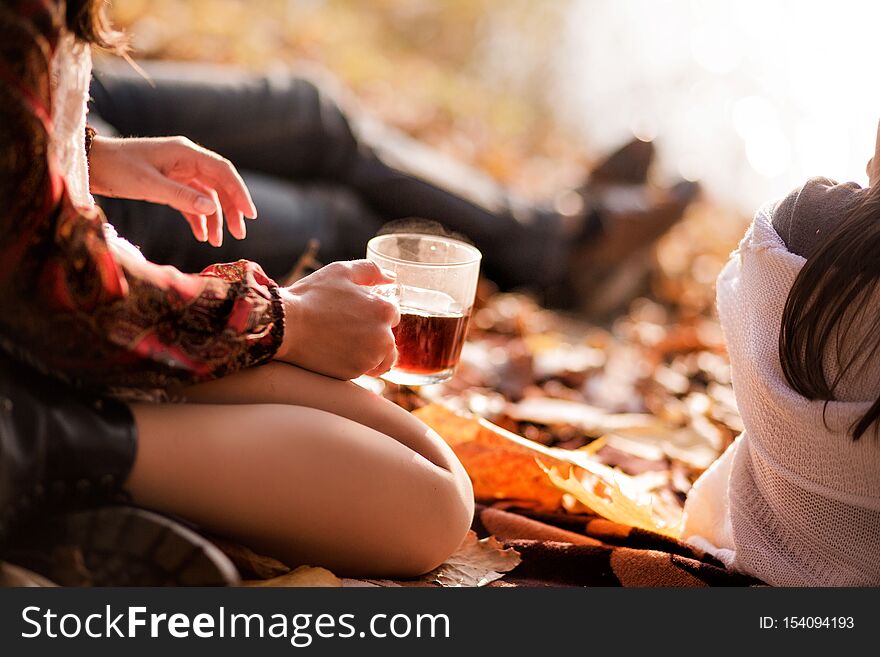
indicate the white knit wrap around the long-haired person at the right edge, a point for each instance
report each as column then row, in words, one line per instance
column 792, row 502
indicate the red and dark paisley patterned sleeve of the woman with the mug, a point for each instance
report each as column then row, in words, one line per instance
column 67, row 302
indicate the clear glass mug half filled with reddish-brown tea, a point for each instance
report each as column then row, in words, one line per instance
column 435, row 289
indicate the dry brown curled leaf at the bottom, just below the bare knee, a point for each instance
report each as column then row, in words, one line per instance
column 475, row 563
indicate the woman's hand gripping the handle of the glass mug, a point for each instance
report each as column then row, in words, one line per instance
column 336, row 326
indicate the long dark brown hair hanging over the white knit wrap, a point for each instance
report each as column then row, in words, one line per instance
column 827, row 300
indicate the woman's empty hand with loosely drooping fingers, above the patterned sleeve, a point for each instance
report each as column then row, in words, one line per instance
column 174, row 171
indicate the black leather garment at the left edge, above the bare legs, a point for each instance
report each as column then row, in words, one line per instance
column 60, row 448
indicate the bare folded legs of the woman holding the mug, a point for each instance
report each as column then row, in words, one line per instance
column 308, row 485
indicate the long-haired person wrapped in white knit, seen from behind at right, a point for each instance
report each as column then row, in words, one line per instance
column 795, row 501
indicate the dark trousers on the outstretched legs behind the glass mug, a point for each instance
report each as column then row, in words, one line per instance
column 312, row 172
